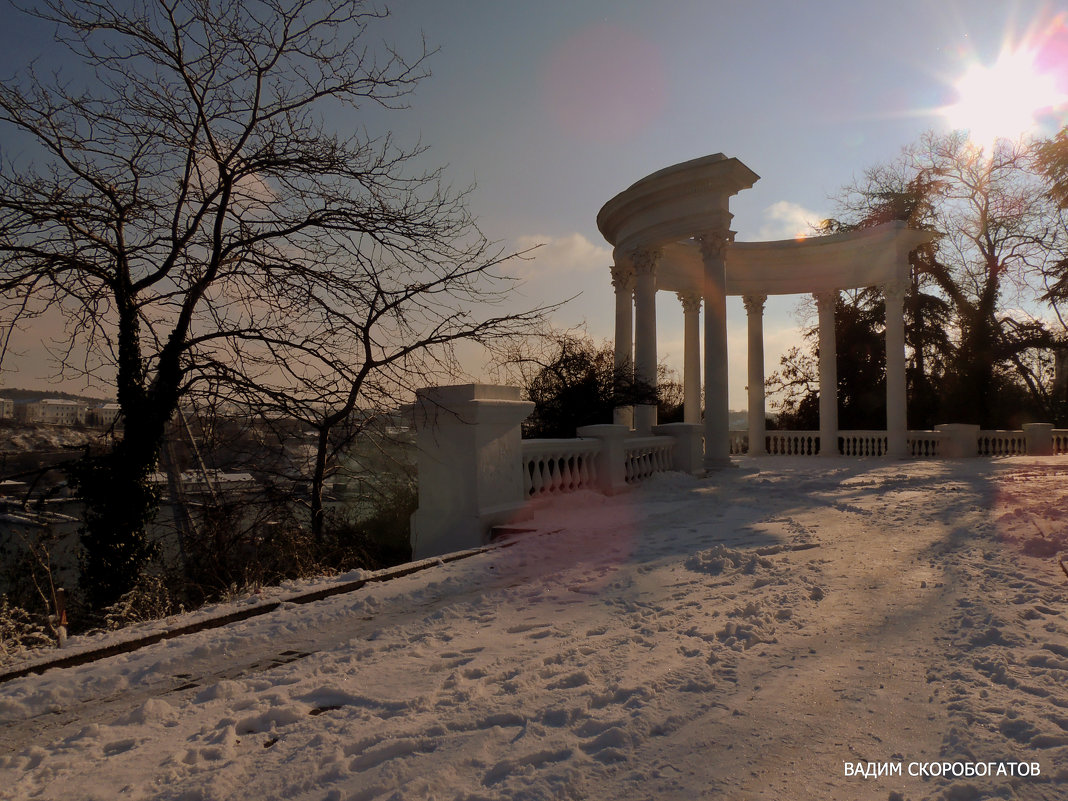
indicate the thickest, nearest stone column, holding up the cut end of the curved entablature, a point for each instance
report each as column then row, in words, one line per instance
column 714, row 248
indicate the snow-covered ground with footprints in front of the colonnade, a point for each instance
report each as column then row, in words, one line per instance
column 751, row 636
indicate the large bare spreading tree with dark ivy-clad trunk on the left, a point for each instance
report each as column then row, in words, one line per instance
column 200, row 225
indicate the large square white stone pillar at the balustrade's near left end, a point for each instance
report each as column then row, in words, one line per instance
column 470, row 465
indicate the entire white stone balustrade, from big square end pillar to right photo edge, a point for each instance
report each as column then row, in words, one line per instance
column 477, row 474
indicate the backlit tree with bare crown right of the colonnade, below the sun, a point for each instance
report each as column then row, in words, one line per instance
column 1000, row 238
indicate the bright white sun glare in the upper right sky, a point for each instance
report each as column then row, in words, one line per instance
column 1007, row 100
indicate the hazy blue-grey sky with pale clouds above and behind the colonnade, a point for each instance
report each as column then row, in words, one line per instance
column 553, row 108
